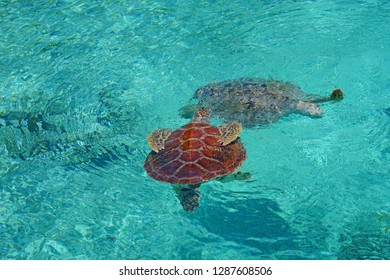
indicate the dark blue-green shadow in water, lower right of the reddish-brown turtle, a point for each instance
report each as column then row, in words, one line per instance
column 254, row 223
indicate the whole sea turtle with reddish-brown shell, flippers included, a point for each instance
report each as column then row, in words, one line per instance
column 194, row 153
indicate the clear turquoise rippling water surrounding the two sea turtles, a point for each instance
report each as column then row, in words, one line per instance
column 83, row 83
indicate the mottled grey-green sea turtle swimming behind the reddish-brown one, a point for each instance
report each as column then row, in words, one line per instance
column 257, row 101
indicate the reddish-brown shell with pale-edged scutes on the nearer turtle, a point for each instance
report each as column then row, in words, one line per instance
column 193, row 155
